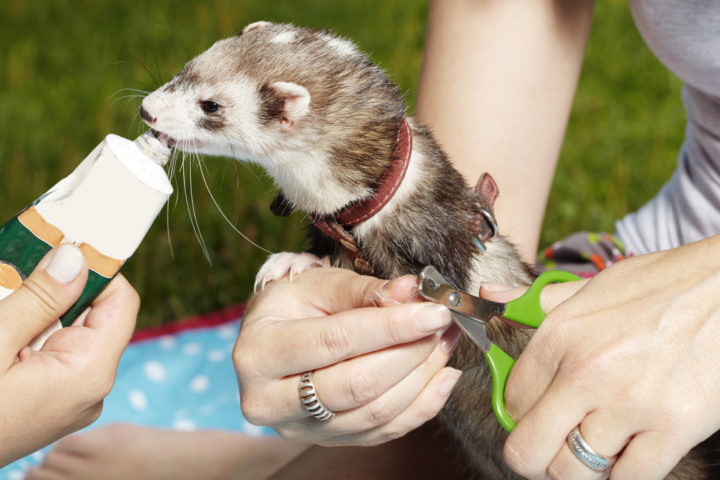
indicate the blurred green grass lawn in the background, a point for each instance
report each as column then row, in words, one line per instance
column 64, row 65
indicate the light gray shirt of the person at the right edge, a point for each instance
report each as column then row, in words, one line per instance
column 685, row 36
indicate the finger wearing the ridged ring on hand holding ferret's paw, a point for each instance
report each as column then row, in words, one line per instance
column 277, row 402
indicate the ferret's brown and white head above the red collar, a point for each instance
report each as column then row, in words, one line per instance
column 304, row 104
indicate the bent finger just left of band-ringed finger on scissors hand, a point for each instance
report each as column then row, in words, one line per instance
column 540, row 434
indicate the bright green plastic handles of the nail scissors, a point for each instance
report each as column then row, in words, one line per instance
column 525, row 310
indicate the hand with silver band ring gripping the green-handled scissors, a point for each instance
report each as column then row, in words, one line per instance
column 630, row 357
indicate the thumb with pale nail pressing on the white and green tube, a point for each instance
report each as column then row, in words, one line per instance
column 54, row 285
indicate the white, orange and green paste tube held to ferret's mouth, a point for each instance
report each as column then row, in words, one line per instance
column 105, row 207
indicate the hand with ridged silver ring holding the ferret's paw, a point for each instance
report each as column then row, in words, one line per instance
column 377, row 352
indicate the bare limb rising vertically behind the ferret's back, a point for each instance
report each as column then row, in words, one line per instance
column 496, row 87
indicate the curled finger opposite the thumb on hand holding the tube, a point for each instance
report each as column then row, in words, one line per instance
column 112, row 316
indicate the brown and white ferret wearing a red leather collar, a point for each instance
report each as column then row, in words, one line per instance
column 327, row 124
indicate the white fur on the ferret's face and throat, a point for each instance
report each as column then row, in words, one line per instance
column 303, row 173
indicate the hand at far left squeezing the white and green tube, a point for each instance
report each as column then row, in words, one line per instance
column 49, row 393
